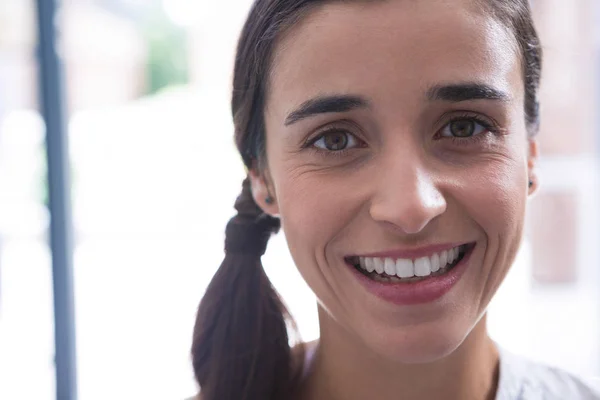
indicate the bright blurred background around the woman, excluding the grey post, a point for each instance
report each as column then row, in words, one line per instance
column 153, row 164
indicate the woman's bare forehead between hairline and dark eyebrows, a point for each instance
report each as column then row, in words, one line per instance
column 391, row 51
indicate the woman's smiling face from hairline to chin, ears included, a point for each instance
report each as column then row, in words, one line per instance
column 395, row 134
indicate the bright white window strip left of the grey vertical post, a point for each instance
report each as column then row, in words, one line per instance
column 26, row 313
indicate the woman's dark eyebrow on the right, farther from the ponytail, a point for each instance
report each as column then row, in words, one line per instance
column 465, row 92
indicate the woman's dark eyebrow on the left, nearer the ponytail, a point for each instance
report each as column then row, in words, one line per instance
column 326, row 104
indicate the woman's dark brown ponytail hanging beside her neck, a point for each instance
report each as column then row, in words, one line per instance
column 240, row 347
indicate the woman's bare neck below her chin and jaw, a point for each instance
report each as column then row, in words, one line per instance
column 343, row 369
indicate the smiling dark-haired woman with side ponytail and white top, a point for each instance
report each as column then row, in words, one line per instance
column 395, row 143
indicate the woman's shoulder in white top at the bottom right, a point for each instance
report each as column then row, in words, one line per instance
column 522, row 379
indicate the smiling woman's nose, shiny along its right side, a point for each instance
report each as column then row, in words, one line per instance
column 406, row 197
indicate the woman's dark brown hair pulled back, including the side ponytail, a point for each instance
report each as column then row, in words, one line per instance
column 240, row 347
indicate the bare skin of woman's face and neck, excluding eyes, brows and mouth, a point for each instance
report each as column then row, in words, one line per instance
column 402, row 184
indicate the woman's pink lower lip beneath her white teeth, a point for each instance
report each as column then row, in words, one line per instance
column 411, row 293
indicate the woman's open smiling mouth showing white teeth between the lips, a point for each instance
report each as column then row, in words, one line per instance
column 402, row 270
